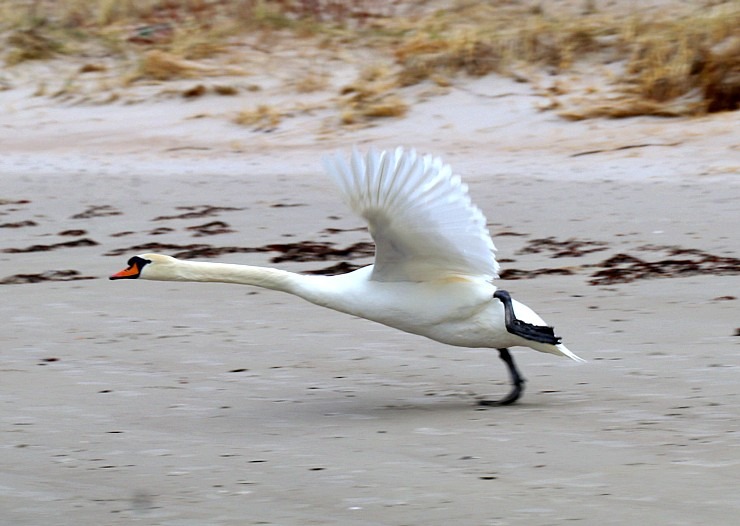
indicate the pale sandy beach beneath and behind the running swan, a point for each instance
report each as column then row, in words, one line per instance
column 193, row 404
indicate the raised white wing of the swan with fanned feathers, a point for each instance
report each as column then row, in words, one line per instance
column 419, row 214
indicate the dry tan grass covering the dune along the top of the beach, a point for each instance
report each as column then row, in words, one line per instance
column 676, row 62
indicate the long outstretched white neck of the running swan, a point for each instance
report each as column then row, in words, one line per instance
column 264, row 277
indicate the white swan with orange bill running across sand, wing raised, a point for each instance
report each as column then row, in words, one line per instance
column 434, row 262
